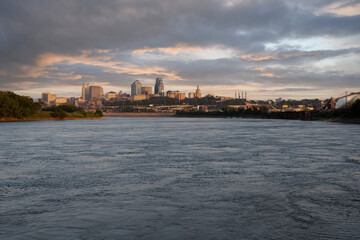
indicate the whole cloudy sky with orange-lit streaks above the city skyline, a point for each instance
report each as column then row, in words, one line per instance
column 269, row 48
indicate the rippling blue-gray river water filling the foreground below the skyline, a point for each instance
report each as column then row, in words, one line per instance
column 179, row 178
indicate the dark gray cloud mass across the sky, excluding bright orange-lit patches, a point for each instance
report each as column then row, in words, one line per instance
column 30, row 28
